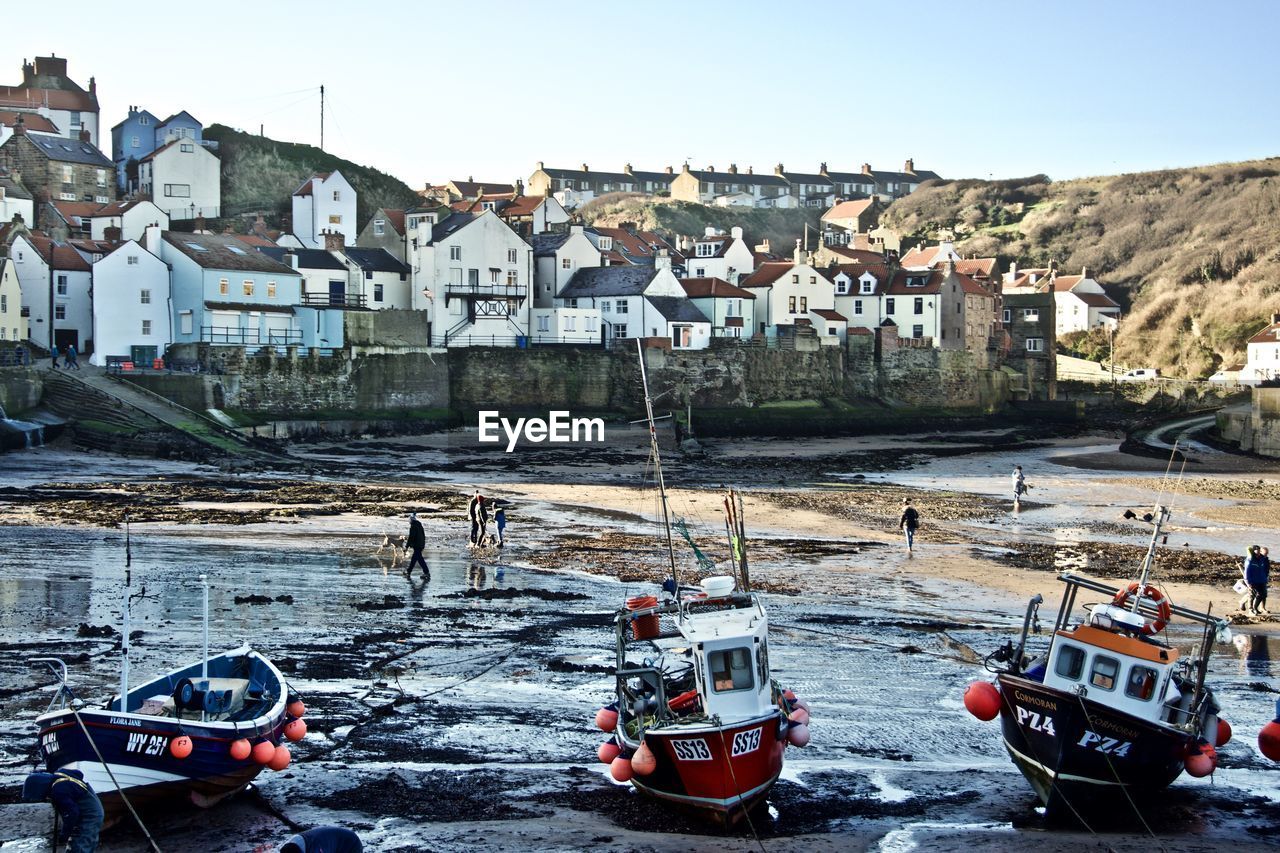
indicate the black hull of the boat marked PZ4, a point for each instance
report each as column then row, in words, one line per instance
column 1080, row 755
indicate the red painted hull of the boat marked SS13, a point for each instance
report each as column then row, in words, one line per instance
column 721, row 773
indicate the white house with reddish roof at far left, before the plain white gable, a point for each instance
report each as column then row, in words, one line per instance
column 57, row 291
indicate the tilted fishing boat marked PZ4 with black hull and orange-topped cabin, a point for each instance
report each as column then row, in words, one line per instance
column 1110, row 713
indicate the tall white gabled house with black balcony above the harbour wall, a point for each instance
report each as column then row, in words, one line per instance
column 473, row 273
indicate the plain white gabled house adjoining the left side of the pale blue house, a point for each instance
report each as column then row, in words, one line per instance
column 132, row 314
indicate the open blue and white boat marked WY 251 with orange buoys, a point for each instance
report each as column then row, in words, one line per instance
column 196, row 735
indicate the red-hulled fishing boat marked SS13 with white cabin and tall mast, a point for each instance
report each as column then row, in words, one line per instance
column 698, row 720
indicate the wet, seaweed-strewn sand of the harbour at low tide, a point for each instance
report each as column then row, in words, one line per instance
column 455, row 711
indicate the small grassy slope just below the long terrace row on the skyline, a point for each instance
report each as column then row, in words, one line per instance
column 683, row 218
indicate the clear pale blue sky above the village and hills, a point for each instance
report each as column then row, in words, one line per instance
column 431, row 92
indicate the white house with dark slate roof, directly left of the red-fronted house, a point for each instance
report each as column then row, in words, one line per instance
column 639, row 302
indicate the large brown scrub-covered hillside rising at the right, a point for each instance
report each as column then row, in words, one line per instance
column 1192, row 254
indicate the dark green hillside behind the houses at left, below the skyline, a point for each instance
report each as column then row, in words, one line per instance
column 262, row 175
